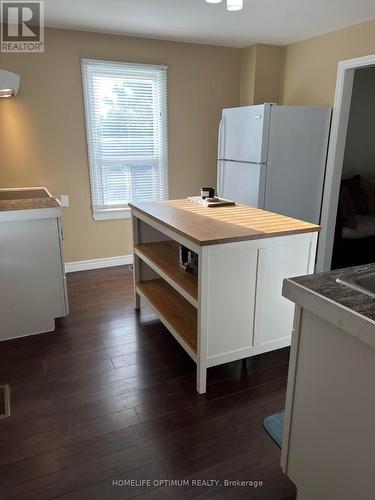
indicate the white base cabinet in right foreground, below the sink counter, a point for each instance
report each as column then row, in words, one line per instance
column 329, row 438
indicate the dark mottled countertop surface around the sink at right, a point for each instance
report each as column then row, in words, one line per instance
column 325, row 285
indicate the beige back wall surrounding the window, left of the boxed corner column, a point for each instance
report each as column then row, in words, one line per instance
column 42, row 137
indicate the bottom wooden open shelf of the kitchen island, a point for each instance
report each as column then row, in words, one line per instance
column 177, row 314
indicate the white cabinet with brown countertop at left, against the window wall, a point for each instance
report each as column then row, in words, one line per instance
column 32, row 276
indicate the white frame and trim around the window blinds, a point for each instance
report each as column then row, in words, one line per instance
column 113, row 212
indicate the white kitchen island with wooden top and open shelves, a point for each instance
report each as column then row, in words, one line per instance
column 233, row 308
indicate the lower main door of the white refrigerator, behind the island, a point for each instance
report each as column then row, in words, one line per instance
column 242, row 182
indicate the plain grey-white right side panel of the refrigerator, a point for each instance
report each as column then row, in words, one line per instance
column 297, row 153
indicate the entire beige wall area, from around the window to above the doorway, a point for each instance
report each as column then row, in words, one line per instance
column 42, row 138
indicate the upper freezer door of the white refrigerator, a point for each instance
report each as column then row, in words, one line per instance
column 243, row 134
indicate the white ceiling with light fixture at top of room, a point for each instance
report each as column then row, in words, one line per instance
column 261, row 21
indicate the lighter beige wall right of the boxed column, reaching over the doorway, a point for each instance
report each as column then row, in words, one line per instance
column 311, row 65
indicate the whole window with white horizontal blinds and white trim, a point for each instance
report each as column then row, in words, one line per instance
column 126, row 117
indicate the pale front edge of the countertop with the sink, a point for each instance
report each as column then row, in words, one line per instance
column 351, row 322
